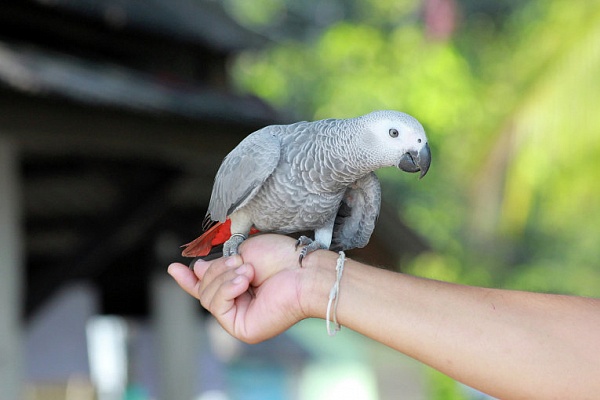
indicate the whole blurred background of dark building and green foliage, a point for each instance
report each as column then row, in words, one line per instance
column 115, row 115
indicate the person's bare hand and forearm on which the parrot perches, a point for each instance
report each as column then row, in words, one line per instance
column 509, row 344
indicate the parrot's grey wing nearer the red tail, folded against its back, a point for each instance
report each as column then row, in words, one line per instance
column 243, row 172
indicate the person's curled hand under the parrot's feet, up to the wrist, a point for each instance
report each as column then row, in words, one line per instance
column 269, row 265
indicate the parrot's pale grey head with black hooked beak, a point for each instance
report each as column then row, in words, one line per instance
column 397, row 139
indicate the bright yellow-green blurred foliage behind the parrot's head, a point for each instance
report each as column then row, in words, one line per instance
column 510, row 103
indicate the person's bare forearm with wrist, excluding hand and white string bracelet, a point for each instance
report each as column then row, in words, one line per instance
column 507, row 343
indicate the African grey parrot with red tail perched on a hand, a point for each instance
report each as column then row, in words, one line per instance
column 310, row 176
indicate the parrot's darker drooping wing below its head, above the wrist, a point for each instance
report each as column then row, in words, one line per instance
column 358, row 213
